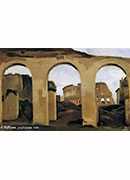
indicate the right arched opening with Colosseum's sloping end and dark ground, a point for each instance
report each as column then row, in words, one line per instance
column 112, row 96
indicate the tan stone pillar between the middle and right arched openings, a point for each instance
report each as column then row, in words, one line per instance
column 88, row 100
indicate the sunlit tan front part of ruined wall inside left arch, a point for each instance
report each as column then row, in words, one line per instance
column 12, row 85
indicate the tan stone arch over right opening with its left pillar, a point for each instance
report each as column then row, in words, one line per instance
column 91, row 115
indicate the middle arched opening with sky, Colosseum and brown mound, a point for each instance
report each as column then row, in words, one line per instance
column 64, row 96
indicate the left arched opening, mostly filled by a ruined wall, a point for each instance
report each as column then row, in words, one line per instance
column 17, row 105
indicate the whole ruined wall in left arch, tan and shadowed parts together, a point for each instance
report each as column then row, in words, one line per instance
column 16, row 88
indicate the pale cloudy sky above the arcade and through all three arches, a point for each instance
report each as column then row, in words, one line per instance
column 64, row 74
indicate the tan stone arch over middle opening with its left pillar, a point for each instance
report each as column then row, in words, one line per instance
column 40, row 85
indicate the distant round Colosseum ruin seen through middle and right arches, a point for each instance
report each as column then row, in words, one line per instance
column 103, row 94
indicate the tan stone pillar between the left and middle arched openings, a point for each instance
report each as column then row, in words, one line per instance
column 40, row 101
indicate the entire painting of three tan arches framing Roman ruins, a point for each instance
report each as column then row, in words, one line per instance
column 64, row 89
